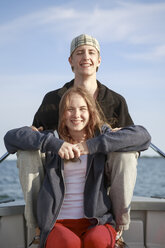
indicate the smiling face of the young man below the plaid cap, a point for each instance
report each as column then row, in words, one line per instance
column 85, row 60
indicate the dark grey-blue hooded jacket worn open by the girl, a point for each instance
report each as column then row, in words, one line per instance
column 97, row 205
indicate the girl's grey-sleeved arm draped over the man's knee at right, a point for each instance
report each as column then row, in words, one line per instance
column 132, row 138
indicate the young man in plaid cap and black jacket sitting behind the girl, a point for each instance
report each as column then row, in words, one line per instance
column 84, row 60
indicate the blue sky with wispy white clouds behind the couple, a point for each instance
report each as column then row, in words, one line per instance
column 35, row 40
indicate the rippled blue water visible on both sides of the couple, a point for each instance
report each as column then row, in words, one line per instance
column 150, row 179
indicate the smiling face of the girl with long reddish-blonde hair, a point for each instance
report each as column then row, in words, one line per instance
column 77, row 114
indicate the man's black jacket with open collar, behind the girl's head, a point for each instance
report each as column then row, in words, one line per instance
column 112, row 104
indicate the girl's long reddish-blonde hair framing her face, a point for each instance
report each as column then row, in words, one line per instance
column 96, row 116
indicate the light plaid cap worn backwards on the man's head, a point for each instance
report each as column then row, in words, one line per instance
column 84, row 39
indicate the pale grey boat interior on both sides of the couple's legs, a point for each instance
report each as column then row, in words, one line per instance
column 147, row 228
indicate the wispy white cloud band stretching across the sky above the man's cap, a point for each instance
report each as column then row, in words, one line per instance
column 129, row 22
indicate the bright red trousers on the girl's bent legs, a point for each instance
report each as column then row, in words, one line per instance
column 76, row 234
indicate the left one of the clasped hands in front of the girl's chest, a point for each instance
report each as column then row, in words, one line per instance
column 69, row 151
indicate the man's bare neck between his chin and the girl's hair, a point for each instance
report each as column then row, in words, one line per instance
column 89, row 83
